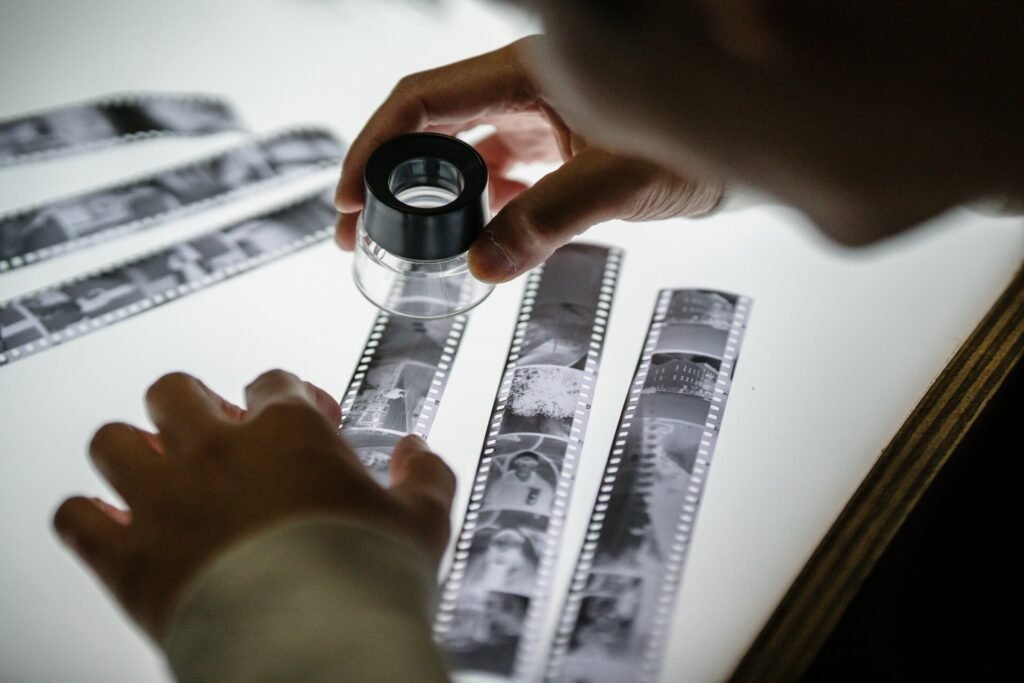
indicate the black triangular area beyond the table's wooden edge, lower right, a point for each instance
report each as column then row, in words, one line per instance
column 943, row 604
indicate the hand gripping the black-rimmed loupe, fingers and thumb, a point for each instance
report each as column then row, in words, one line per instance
column 592, row 186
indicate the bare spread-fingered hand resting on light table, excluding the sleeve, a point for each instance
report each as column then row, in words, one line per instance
column 215, row 474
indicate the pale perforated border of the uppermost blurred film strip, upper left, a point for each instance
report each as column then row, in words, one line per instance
column 233, row 123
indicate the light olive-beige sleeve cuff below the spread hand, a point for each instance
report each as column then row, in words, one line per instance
column 313, row 601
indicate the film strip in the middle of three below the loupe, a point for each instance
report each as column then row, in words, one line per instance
column 505, row 552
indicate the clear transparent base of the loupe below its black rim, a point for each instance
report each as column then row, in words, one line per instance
column 411, row 288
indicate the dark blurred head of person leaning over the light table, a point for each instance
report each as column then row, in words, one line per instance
column 869, row 116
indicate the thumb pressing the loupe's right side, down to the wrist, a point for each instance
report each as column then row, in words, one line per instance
column 592, row 188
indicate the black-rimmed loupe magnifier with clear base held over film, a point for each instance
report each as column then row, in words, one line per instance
column 426, row 202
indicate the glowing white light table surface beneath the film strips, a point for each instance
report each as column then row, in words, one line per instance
column 839, row 350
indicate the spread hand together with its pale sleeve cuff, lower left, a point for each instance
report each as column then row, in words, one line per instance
column 257, row 547
